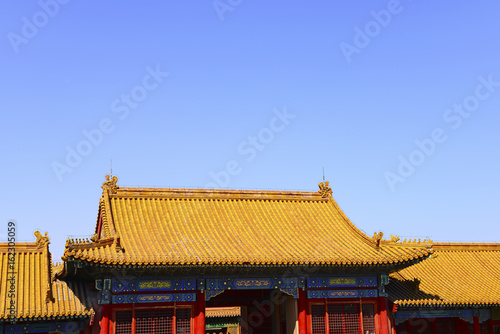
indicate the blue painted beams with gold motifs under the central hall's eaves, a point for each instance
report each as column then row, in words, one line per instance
column 116, row 290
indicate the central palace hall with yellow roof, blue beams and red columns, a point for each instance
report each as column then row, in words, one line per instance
column 292, row 262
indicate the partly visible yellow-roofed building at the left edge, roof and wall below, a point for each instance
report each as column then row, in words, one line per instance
column 32, row 300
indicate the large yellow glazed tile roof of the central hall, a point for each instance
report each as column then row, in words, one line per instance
column 157, row 226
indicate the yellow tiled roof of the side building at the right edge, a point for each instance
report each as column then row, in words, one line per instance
column 456, row 274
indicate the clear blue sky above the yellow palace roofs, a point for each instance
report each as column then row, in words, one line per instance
column 399, row 101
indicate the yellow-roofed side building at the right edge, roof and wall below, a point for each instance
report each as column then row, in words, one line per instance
column 457, row 290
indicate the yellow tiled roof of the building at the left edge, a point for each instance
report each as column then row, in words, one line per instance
column 34, row 291
